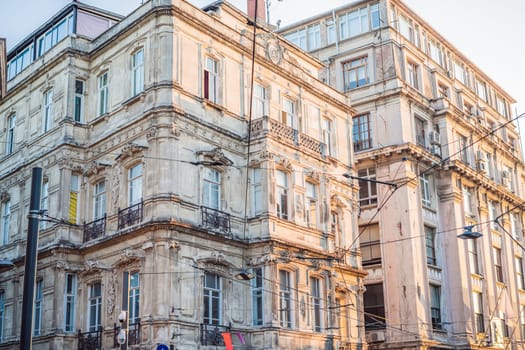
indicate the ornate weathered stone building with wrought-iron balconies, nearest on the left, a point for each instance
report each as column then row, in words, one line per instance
column 226, row 217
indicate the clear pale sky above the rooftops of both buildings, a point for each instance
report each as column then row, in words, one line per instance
column 489, row 33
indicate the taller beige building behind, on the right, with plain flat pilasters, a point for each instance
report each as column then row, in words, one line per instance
column 431, row 122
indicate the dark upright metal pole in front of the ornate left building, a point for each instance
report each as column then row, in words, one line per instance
column 30, row 261
